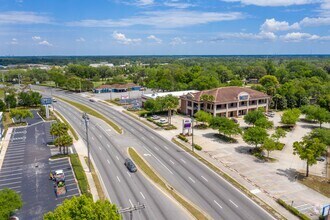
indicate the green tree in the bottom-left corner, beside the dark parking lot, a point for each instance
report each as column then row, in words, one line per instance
column 9, row 202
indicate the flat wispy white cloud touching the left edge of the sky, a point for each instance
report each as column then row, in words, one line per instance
column 21, row 17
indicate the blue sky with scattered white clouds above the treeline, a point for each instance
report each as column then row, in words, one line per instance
column 169, row 27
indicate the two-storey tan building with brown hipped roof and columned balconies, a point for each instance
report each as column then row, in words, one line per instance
column 230, row 101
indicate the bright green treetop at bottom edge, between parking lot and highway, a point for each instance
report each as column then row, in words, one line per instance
column 83, row 207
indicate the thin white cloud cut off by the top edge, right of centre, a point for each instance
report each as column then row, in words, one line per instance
column 273, row 3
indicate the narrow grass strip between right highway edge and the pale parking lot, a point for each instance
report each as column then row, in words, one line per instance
column 264, row 205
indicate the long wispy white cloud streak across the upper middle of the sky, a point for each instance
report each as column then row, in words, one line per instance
column 163, row 19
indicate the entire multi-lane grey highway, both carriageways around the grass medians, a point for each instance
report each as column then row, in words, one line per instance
column 193, row 180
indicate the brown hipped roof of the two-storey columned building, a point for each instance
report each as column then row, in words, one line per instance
column 228, row 94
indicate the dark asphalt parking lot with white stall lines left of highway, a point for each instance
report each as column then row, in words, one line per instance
column 26, row 169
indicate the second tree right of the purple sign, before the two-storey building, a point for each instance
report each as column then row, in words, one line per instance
column 225, row 126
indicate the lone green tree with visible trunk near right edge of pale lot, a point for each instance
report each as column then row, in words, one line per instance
column 309, row 150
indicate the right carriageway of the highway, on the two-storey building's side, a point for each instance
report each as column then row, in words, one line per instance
column 206, row 189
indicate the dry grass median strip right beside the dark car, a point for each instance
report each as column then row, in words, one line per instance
column 145, row 168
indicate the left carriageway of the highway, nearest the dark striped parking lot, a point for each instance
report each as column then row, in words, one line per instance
column 124, row 188
